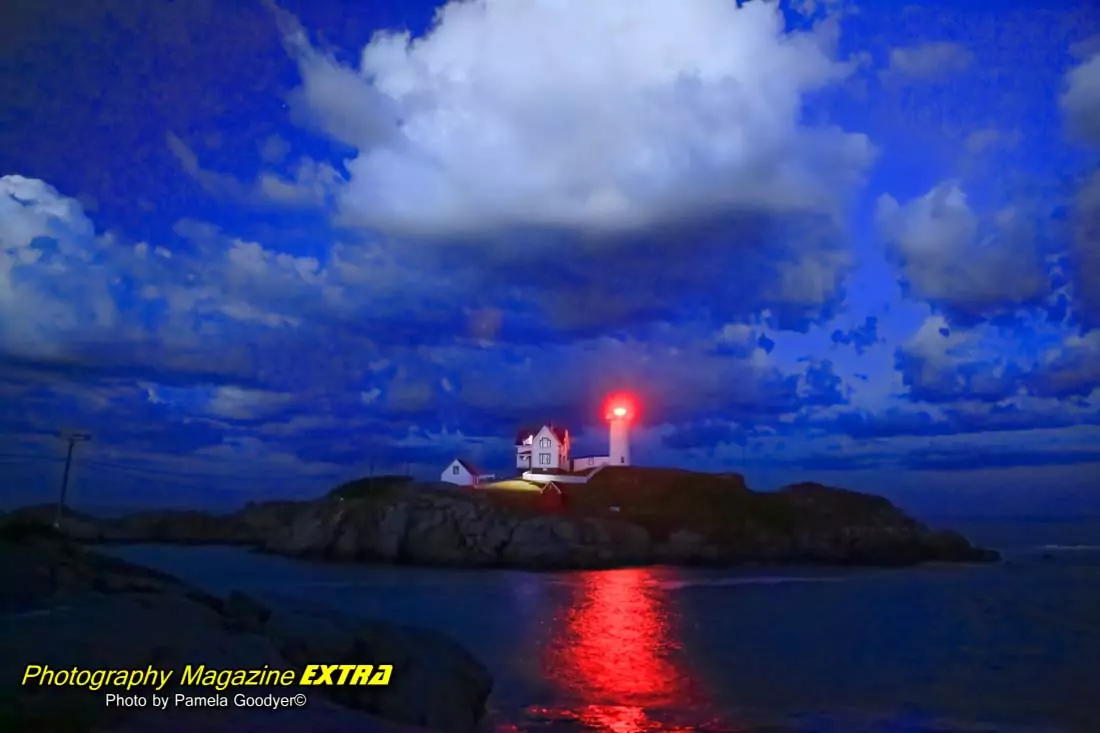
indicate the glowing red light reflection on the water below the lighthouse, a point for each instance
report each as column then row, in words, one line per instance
column 617, row 658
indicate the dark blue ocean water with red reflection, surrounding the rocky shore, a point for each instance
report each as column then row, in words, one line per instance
column 1008, row 648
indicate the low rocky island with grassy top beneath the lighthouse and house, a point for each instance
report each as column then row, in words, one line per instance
column 624, row 517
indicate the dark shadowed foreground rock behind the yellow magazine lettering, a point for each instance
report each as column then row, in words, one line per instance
column 67, row 607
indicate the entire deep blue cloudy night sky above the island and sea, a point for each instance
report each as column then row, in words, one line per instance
column 255, row 248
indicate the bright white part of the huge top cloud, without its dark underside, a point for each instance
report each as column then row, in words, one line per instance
column 598, row 116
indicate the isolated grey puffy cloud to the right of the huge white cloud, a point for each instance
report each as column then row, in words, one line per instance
column 950, row 256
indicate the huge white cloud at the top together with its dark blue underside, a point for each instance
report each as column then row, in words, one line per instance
column 674, row 161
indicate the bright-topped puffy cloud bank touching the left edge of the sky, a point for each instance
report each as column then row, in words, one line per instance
column 70, row 298
